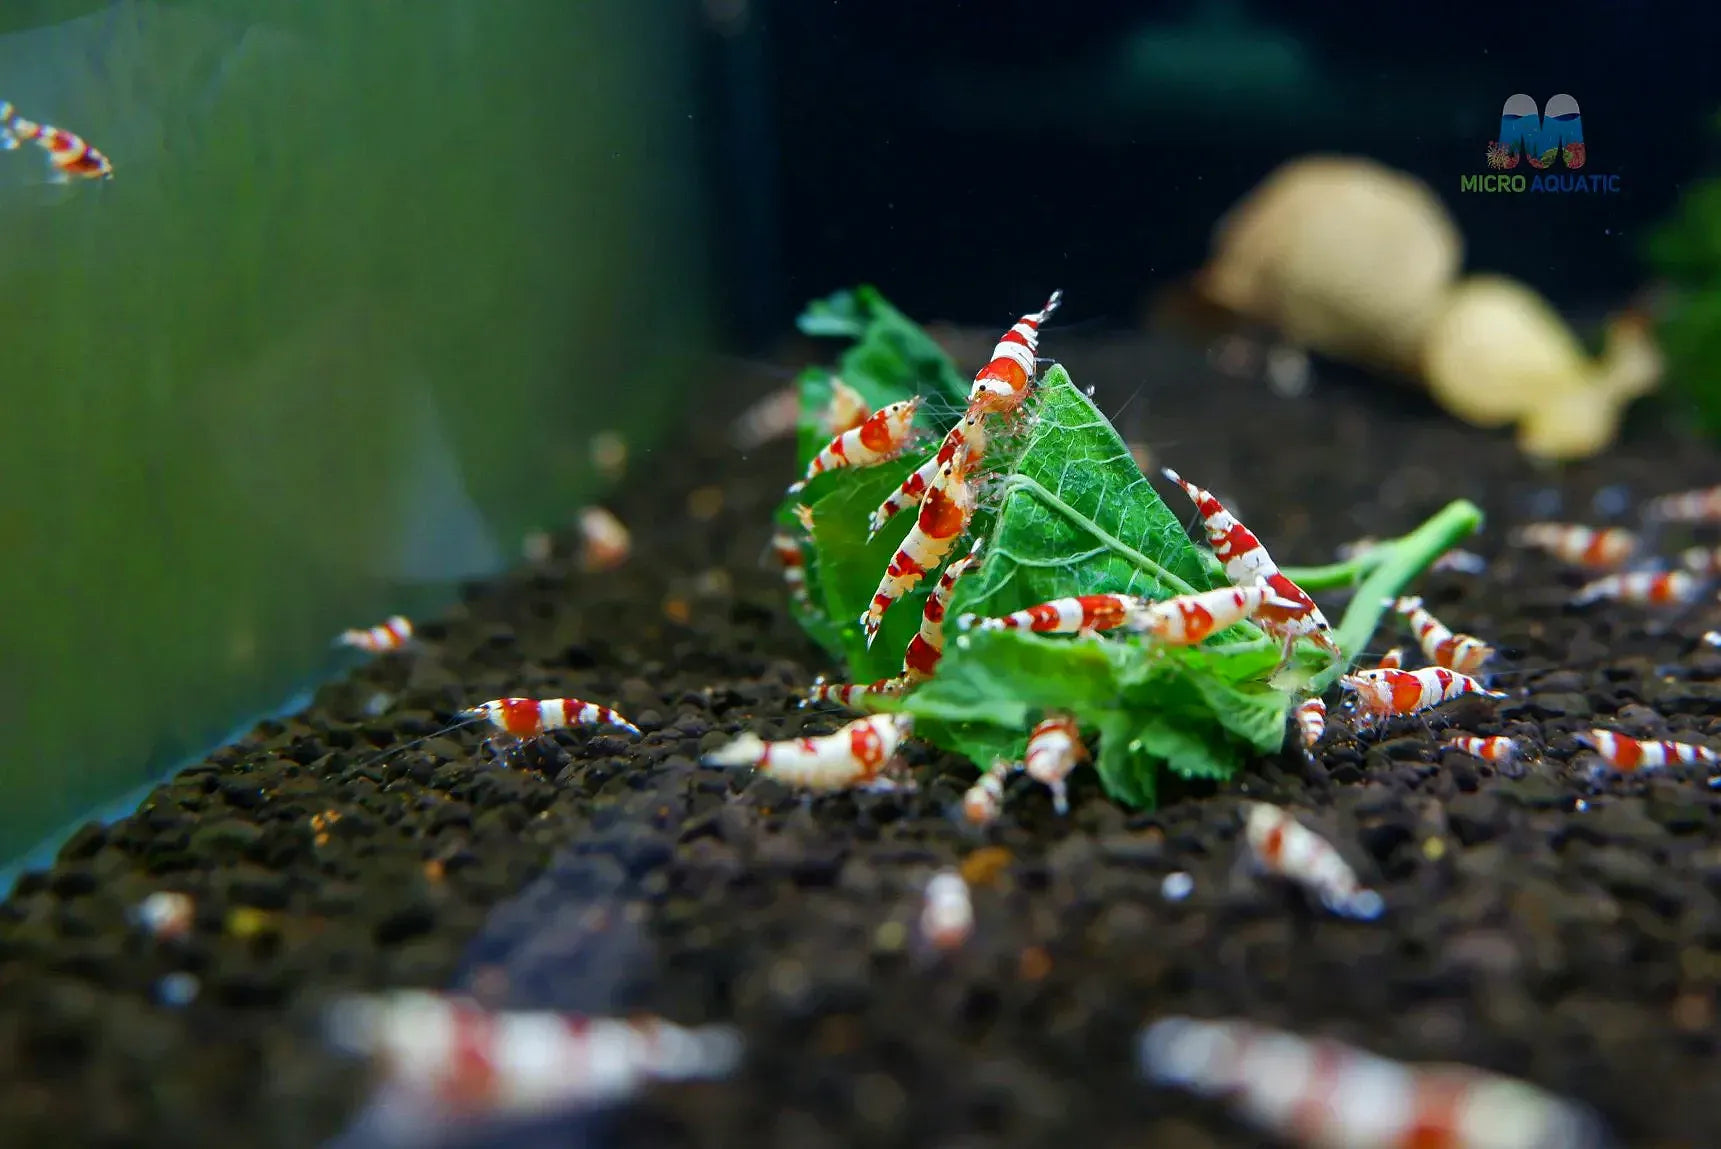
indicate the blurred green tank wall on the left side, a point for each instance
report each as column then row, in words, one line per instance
column 367, row 281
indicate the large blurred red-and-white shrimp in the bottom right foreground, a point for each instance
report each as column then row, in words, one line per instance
column 1324, row 1095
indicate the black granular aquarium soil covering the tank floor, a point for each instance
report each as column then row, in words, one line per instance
column 1574, row 945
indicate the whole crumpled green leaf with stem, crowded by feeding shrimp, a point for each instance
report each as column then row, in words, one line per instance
column 1075, row 517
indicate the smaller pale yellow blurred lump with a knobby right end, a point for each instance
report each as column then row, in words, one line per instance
column 1502, row 355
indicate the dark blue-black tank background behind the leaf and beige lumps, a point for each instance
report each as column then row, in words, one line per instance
column 968, row 156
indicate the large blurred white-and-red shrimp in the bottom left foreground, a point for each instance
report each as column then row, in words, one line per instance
column 445, row 1057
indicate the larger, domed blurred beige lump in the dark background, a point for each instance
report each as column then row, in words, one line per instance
column 1342, row 255
